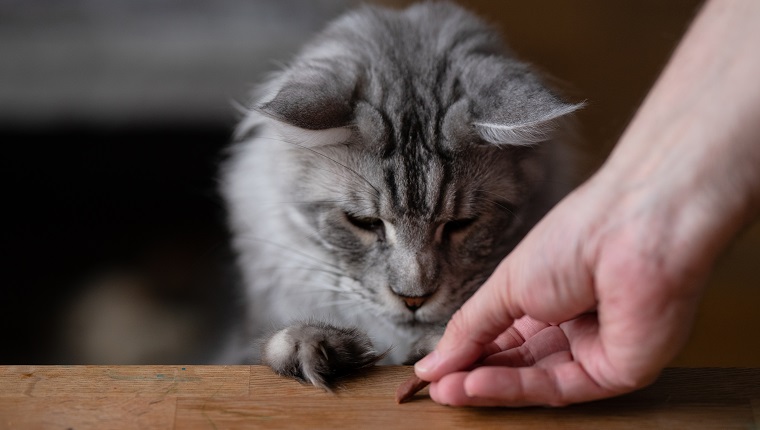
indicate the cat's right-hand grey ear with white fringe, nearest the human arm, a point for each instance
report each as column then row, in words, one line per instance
column 510, row 106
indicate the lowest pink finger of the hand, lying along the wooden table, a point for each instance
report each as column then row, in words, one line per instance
column 559, row 382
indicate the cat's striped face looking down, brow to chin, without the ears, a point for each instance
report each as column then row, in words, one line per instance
column 415, row 231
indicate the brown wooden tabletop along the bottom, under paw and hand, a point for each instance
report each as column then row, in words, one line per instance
column 217, row 397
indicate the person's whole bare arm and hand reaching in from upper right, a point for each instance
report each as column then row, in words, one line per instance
column 601, row 294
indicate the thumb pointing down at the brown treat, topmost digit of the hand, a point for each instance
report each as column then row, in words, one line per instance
column 487, row 314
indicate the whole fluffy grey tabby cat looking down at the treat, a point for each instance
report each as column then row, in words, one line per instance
column 379, row 180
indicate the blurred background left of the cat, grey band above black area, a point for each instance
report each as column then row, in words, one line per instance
column 114, row 116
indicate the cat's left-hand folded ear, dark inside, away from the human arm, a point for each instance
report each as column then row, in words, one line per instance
column 315, row 96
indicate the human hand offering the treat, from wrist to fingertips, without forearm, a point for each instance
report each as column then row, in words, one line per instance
column 593, row 303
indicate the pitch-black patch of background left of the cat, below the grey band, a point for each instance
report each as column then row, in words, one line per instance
column 85, row 199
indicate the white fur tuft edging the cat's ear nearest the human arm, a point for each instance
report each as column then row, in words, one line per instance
column 525, row 133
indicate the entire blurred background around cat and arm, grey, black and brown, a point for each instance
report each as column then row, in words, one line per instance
column 114, row 115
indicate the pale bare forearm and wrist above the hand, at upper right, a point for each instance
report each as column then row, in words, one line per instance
column 695, row 143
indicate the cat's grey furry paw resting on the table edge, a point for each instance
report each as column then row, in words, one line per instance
column 318, row 353
